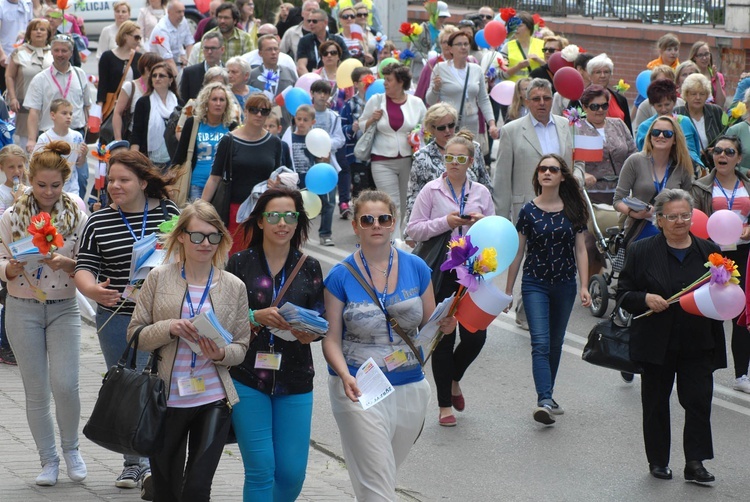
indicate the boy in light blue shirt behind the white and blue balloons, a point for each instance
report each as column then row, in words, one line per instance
column 329, row 121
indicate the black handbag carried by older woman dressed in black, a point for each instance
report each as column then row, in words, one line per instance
column 609, row 345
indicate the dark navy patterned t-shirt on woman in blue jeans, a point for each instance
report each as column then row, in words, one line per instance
column 550, row 244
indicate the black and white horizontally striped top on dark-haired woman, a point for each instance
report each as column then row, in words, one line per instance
column 107, row 246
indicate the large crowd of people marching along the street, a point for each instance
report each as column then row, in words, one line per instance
column 225, row 144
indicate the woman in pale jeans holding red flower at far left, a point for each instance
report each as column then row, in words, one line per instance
column 44, row 324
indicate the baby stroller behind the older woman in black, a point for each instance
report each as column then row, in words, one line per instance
column 611, row 244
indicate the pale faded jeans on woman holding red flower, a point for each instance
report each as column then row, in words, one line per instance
column 46, row 339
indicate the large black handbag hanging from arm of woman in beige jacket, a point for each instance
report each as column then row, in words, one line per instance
column 129, row 414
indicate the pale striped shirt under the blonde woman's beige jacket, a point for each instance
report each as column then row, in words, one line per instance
column 204, row 367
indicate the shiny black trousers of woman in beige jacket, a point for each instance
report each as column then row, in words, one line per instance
column 203, row 430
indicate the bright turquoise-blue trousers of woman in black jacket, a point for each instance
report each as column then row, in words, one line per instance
column 273, row 433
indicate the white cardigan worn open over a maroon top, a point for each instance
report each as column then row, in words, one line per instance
column 390, row 143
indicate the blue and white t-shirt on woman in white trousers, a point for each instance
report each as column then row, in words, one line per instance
column 365, row 327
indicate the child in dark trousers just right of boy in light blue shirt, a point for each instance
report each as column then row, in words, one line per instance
column 360, row 173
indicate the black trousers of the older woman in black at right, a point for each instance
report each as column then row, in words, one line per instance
column 695, row 383
